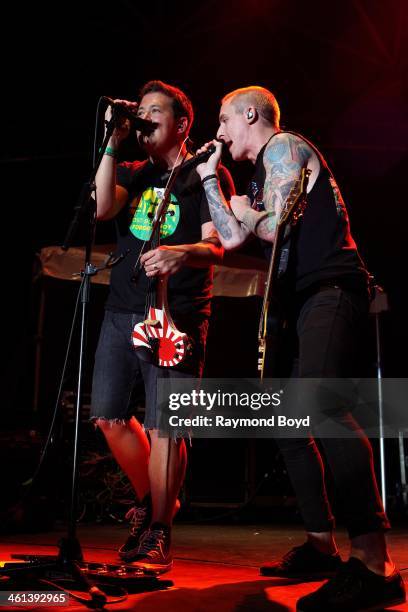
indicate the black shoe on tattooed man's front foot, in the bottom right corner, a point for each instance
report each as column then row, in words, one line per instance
column 355, row 588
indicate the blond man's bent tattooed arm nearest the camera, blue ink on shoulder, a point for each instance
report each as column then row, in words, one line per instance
column 283, row 159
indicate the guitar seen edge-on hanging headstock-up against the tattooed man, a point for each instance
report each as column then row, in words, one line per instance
column 270, row 323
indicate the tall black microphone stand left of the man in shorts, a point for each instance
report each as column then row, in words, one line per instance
column 69, row 560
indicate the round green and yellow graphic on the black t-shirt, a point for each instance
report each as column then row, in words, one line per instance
column 142, row 221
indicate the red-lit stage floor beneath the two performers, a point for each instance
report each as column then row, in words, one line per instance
column 215, row 566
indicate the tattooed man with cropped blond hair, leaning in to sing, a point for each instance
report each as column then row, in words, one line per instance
column 324, row 296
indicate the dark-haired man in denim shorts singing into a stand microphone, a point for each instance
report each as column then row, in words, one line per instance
column 130, row 192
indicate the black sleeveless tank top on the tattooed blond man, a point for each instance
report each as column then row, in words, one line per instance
column 322, row 248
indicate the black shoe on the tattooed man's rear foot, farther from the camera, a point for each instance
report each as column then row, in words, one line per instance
column 303, row 561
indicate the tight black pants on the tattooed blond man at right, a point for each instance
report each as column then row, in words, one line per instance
column 327, row 323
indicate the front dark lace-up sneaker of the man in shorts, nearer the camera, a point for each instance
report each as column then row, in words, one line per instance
column 154, row 550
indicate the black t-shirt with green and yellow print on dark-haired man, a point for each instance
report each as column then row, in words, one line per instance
column 189, row 290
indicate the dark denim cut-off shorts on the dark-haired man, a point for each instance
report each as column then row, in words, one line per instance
column 118, row 369
